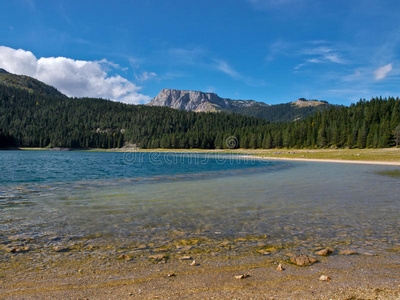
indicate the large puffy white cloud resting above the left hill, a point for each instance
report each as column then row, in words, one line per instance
column 77, row 78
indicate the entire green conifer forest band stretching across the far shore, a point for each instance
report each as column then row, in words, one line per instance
column 29, row 119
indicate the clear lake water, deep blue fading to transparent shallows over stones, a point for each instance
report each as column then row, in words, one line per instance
column 153, row 197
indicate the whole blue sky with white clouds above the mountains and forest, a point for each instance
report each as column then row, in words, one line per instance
column 267, row 50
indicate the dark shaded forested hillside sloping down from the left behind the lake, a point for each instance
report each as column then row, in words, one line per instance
column 33, row 120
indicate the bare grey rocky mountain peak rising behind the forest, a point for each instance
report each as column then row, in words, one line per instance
column 198, row 101
